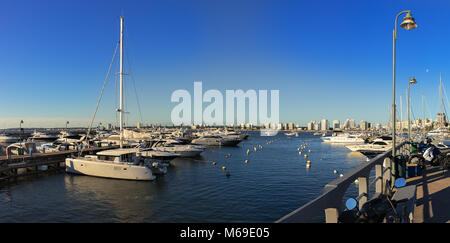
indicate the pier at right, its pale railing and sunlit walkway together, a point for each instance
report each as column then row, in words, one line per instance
column 429, row 205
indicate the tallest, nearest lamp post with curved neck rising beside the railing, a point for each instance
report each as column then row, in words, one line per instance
column 408, row 24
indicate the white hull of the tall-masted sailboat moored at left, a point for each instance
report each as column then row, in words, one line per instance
column 108, row 169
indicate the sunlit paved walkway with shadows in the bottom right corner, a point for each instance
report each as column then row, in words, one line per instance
column 433, row 196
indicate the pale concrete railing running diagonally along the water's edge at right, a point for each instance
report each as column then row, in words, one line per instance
column 330, row 201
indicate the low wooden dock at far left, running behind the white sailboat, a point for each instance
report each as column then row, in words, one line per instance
column 20, row 165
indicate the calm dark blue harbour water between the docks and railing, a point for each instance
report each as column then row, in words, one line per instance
column 273, row 183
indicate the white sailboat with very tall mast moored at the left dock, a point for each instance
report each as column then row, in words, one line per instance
column 116, row 163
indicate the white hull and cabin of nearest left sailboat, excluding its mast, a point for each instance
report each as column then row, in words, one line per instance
column 115, row 163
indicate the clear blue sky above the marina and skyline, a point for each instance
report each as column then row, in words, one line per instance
column 329, row 59
